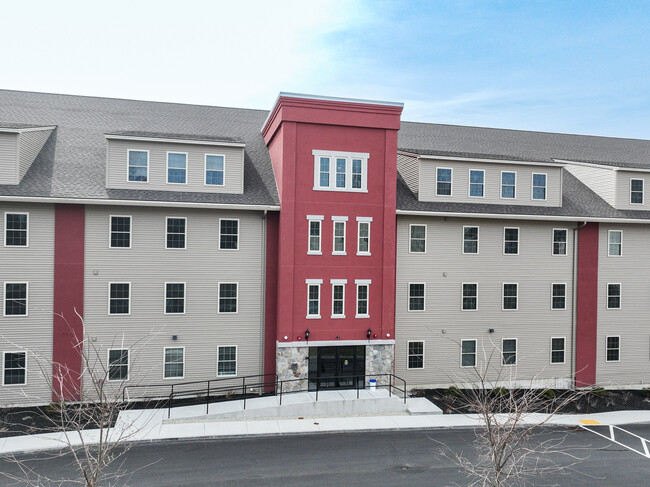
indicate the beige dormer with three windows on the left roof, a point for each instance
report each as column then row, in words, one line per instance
column 174, row 162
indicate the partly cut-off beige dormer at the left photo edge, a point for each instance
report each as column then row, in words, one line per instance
column 19, row 146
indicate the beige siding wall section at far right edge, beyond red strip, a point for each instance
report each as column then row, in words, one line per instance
column 630, row 322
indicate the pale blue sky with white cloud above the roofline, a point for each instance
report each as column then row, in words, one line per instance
column 560, row 66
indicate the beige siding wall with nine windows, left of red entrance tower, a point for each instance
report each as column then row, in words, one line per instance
column 147, row 265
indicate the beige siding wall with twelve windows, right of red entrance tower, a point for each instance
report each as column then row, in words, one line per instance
column 442, row 326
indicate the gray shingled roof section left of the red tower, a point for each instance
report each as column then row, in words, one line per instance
column 72, row 163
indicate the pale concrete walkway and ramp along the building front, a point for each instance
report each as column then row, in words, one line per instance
column 301, row 414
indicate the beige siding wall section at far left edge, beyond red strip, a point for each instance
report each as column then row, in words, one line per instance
column 34, row 265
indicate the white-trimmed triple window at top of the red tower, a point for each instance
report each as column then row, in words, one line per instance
column 340, row 171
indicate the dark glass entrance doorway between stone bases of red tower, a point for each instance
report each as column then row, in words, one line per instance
column 336, row 367
